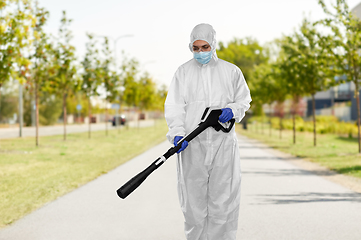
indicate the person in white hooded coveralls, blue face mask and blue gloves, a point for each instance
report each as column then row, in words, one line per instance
column 209, row 174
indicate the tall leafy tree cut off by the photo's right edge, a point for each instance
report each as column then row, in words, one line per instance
column 344, row 44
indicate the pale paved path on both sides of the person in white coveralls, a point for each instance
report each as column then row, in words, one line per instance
column 279, row 201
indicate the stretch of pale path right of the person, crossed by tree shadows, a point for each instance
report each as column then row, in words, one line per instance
column 280, row 200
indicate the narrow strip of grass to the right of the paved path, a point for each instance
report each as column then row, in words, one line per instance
column 332, row 151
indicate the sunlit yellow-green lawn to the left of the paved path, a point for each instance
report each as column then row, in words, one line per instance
column 31, row 177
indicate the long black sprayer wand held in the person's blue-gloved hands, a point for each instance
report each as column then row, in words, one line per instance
column 209, row 119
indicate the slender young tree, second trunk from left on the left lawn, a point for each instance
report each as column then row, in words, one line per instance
column 64, row 80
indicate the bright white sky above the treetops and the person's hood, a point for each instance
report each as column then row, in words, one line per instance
column 161, row 28
